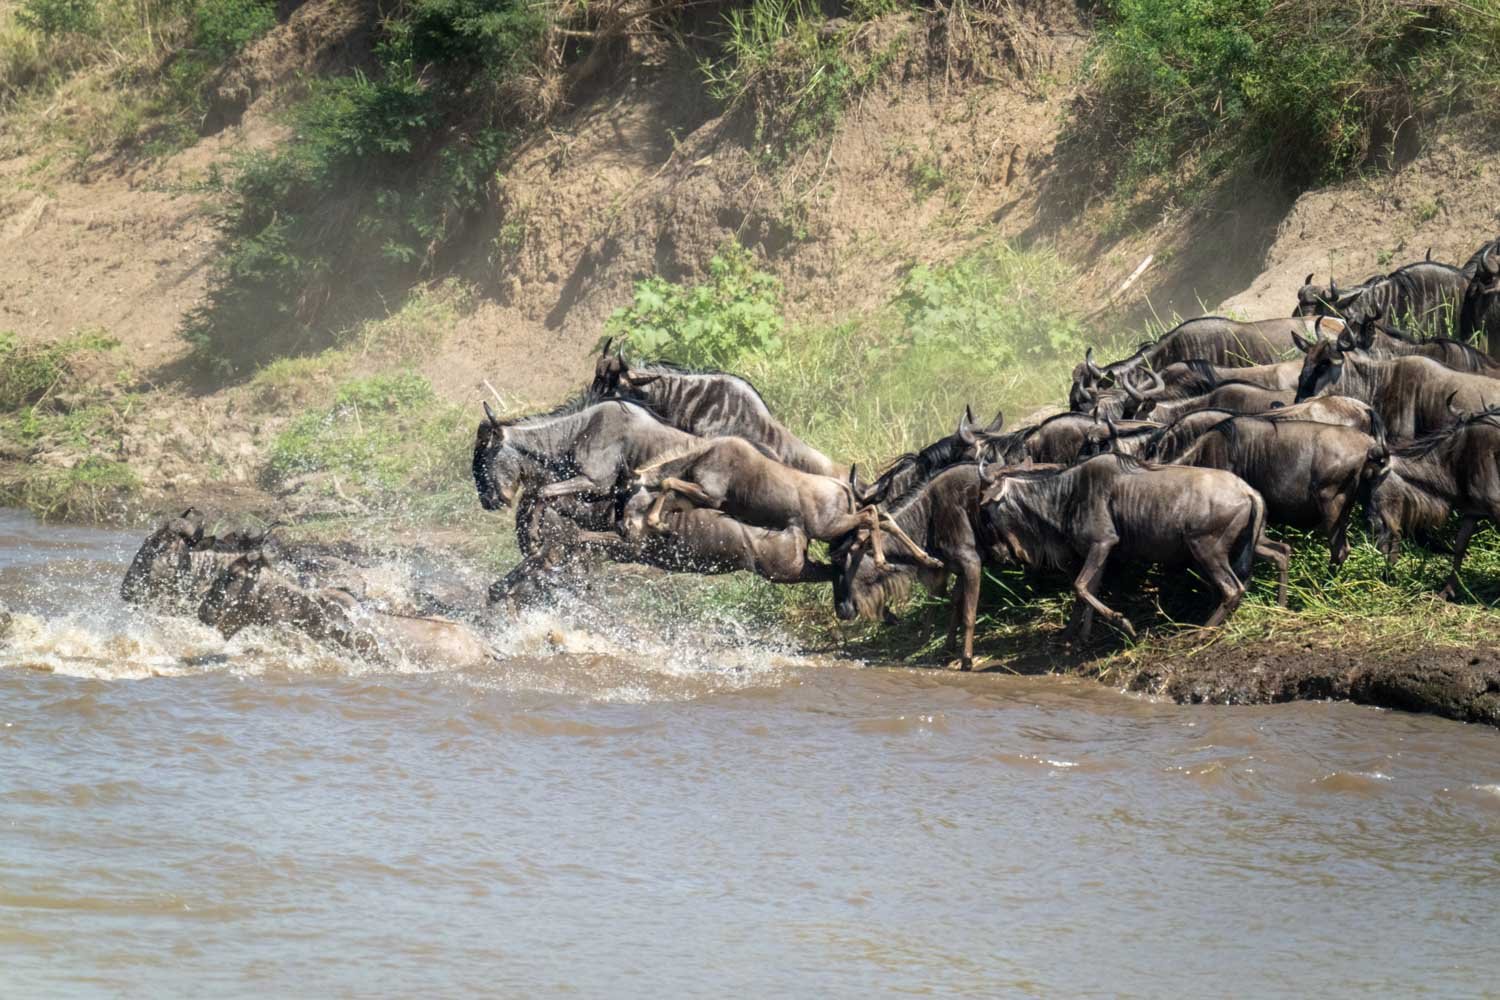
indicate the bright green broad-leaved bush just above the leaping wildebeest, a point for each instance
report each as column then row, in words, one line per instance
column 734, row 314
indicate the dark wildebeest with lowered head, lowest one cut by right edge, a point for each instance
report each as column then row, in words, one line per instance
column 1427, row 481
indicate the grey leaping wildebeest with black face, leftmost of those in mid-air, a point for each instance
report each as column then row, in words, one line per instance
column 583, row 448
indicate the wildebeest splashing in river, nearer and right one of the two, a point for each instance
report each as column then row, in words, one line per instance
column 251, row 593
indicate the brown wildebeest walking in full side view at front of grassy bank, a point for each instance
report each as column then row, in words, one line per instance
column 1076, row 519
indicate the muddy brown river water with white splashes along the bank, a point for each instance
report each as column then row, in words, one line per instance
column 692, row 810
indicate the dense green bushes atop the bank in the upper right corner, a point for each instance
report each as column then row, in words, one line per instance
column 1304, row 92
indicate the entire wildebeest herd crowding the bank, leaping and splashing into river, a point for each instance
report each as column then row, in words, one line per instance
column 1178, row 455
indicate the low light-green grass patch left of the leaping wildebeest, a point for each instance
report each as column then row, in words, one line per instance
column 385, row 439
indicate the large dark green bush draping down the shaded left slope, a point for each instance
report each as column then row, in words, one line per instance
column 383, row 175
